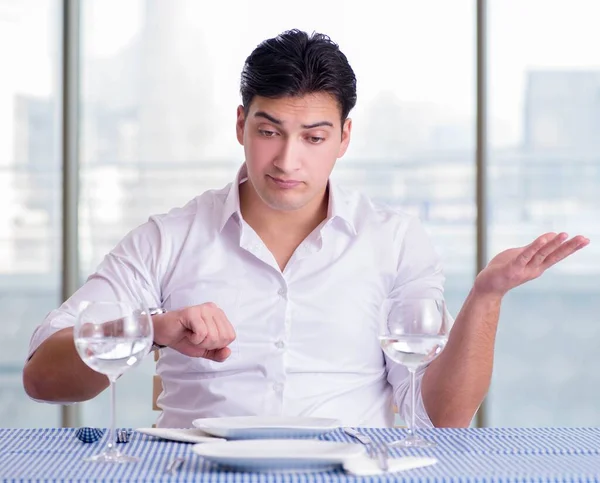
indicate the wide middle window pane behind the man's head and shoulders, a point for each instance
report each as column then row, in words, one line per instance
column 160, row 91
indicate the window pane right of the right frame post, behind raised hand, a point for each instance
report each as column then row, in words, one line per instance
column 545, row 176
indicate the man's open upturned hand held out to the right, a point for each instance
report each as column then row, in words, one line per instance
column 515, row 266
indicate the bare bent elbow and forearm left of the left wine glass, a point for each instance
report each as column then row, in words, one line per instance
column 56, row 373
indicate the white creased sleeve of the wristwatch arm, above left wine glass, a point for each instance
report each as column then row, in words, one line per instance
column 129, row 273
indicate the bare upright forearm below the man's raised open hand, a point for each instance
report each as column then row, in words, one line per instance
column 455, row 384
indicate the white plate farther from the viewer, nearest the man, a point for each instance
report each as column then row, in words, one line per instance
column 258, row 427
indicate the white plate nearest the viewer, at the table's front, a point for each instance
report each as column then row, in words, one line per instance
column 279, row 454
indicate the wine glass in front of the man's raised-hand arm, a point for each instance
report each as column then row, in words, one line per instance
column 414, row 333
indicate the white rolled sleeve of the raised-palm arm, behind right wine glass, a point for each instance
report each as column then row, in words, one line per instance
column 419, row 274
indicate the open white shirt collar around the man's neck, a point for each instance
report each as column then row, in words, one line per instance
column 340, row 205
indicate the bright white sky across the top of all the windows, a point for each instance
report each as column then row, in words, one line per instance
column 423, row 52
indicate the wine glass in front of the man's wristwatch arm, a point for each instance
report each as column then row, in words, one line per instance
column 112, row 337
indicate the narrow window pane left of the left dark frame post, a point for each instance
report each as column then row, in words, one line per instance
column 29, row 194
